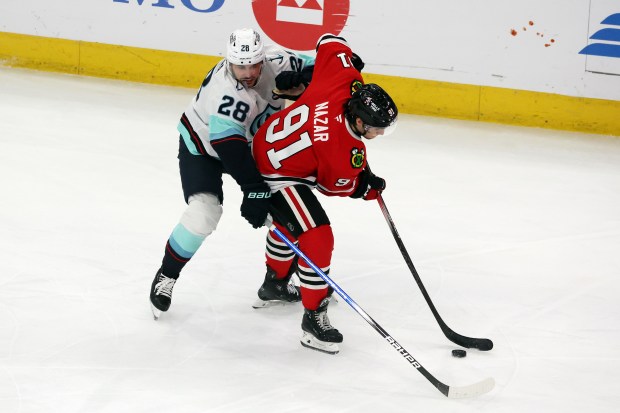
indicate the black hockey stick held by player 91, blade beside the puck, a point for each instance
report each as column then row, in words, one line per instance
column 483, row 344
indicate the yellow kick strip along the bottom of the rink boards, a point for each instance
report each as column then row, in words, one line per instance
column 414, row 96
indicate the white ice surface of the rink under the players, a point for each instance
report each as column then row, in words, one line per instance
column 514, row 231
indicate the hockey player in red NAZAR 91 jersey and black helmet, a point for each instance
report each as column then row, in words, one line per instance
column 317, row 143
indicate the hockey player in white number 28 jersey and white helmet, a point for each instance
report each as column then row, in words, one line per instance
column 216, row 131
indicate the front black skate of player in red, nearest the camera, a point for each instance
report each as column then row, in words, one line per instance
column 318, row 333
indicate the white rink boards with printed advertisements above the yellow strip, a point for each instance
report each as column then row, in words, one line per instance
column 525, row 45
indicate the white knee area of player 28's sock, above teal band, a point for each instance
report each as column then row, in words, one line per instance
column 202, row 214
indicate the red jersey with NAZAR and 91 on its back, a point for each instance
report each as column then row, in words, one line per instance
column 310, row 142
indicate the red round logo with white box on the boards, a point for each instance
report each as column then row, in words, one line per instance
column 298, row 24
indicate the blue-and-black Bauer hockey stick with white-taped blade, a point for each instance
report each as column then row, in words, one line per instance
column 452, row 392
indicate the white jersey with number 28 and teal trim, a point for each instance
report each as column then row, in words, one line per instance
column 224, row 107
